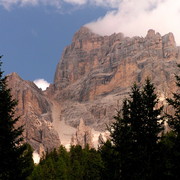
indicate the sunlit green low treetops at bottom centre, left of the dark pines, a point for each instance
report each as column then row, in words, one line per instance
column 77, row 164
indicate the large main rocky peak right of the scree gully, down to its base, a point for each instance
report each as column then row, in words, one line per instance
column 96, row 72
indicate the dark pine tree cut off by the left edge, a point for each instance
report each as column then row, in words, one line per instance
column 11, row 148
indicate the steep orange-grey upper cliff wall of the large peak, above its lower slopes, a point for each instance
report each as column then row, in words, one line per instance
column 94, row 65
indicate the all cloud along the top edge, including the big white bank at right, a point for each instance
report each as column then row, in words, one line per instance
column 131, row 17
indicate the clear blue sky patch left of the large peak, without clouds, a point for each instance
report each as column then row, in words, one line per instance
column 33, row 38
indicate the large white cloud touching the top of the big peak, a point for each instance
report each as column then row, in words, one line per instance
column 135, row 18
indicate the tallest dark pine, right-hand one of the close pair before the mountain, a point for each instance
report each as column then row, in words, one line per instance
column 152, row 125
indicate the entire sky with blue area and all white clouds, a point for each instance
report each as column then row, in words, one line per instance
column 33, row 33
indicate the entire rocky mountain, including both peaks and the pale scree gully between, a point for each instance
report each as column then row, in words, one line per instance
column 92, row 78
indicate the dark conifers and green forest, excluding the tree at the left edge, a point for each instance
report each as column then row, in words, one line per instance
column 138, row 147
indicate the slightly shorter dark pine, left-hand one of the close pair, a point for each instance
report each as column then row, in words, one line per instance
column 124, row 133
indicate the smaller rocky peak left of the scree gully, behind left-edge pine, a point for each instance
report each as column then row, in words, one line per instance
column 34, row 110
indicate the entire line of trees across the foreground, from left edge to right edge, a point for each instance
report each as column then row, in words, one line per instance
column 138, row 147
